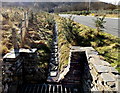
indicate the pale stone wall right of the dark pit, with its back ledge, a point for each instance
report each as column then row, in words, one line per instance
column 104, row 76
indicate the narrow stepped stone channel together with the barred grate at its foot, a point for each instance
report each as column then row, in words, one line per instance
column 50, row 86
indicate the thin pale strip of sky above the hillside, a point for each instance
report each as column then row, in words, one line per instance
column 109, row 1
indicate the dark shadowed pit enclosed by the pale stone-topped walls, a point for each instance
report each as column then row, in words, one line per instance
column 78, row 71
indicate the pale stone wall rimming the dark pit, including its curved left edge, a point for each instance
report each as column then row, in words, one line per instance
column 99, row 75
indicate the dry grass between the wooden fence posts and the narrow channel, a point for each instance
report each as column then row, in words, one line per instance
column 40, row 31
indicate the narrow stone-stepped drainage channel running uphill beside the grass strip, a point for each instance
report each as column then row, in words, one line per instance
column 54, row 61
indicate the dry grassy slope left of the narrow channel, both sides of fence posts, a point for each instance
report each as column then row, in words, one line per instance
column 39, row 33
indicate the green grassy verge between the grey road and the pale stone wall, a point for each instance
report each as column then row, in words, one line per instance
column 107, row 45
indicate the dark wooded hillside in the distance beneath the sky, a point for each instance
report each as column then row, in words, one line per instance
column 62, row 6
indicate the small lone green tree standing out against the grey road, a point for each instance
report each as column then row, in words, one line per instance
column 99, row 23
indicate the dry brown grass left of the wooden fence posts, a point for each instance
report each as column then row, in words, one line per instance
column 9, row 19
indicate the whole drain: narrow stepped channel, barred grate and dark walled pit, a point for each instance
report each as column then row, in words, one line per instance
column 74, row 80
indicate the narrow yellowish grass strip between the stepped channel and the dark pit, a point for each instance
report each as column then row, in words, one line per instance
column 63, row 44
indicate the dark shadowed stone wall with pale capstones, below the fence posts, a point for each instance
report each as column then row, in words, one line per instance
column 16, row 66
